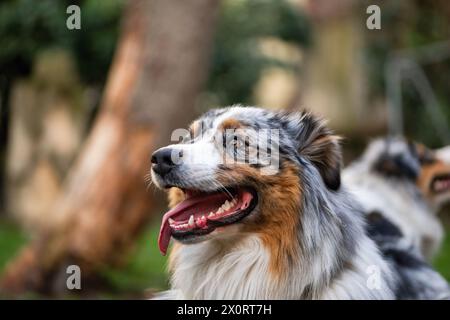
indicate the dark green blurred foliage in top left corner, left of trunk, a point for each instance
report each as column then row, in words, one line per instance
column 28, row 27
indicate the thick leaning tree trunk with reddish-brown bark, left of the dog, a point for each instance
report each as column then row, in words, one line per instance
column 155, row 78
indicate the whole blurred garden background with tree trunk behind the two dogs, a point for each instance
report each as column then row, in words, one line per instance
column 81, row 111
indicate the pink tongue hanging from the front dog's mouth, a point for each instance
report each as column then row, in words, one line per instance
column 194, row 201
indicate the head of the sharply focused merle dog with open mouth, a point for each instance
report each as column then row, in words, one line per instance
column 238, row 169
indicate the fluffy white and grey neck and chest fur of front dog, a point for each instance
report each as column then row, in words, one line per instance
column 335, row 261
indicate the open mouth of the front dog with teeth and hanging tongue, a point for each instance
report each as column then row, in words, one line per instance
column 202, row 212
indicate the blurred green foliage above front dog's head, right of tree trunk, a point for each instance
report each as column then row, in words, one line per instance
column 236, row 62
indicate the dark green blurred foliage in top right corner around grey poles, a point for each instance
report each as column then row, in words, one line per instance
column 410, row 25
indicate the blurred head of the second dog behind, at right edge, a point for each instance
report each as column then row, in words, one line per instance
column 414, row 163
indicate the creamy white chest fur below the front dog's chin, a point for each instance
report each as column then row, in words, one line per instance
column 209, row 271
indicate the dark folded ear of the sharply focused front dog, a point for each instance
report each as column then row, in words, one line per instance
column 318, row 143
